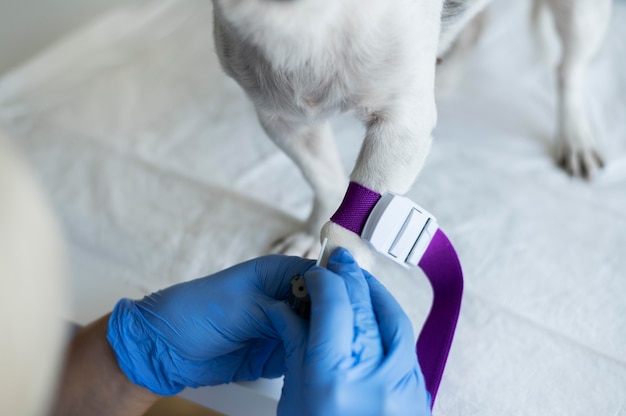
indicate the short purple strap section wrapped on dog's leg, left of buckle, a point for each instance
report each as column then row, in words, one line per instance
column 355, row 207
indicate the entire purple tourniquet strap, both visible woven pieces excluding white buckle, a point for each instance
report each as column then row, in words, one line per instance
column 441, row 265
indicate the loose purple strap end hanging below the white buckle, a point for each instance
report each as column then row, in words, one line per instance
column 441, row 265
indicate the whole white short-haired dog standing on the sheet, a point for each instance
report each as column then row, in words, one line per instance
column 302, row 62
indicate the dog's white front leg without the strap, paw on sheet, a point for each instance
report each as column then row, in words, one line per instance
column 313, row 149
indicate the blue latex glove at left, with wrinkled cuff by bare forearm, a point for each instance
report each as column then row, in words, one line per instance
column 207, row 331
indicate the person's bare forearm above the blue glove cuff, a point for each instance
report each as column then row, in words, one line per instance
column 92, row 382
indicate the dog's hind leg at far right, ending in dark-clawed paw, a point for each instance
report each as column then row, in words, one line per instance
column 581, row 26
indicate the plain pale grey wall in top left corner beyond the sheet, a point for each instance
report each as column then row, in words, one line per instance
column 27, row 26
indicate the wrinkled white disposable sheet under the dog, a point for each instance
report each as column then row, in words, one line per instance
column 160, row 173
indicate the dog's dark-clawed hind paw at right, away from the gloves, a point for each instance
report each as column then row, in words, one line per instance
column 578, row 160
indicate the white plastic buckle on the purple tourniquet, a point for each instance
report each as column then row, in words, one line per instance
column 399, row 229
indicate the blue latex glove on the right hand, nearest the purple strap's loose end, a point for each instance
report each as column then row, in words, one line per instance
column 356, row 355
